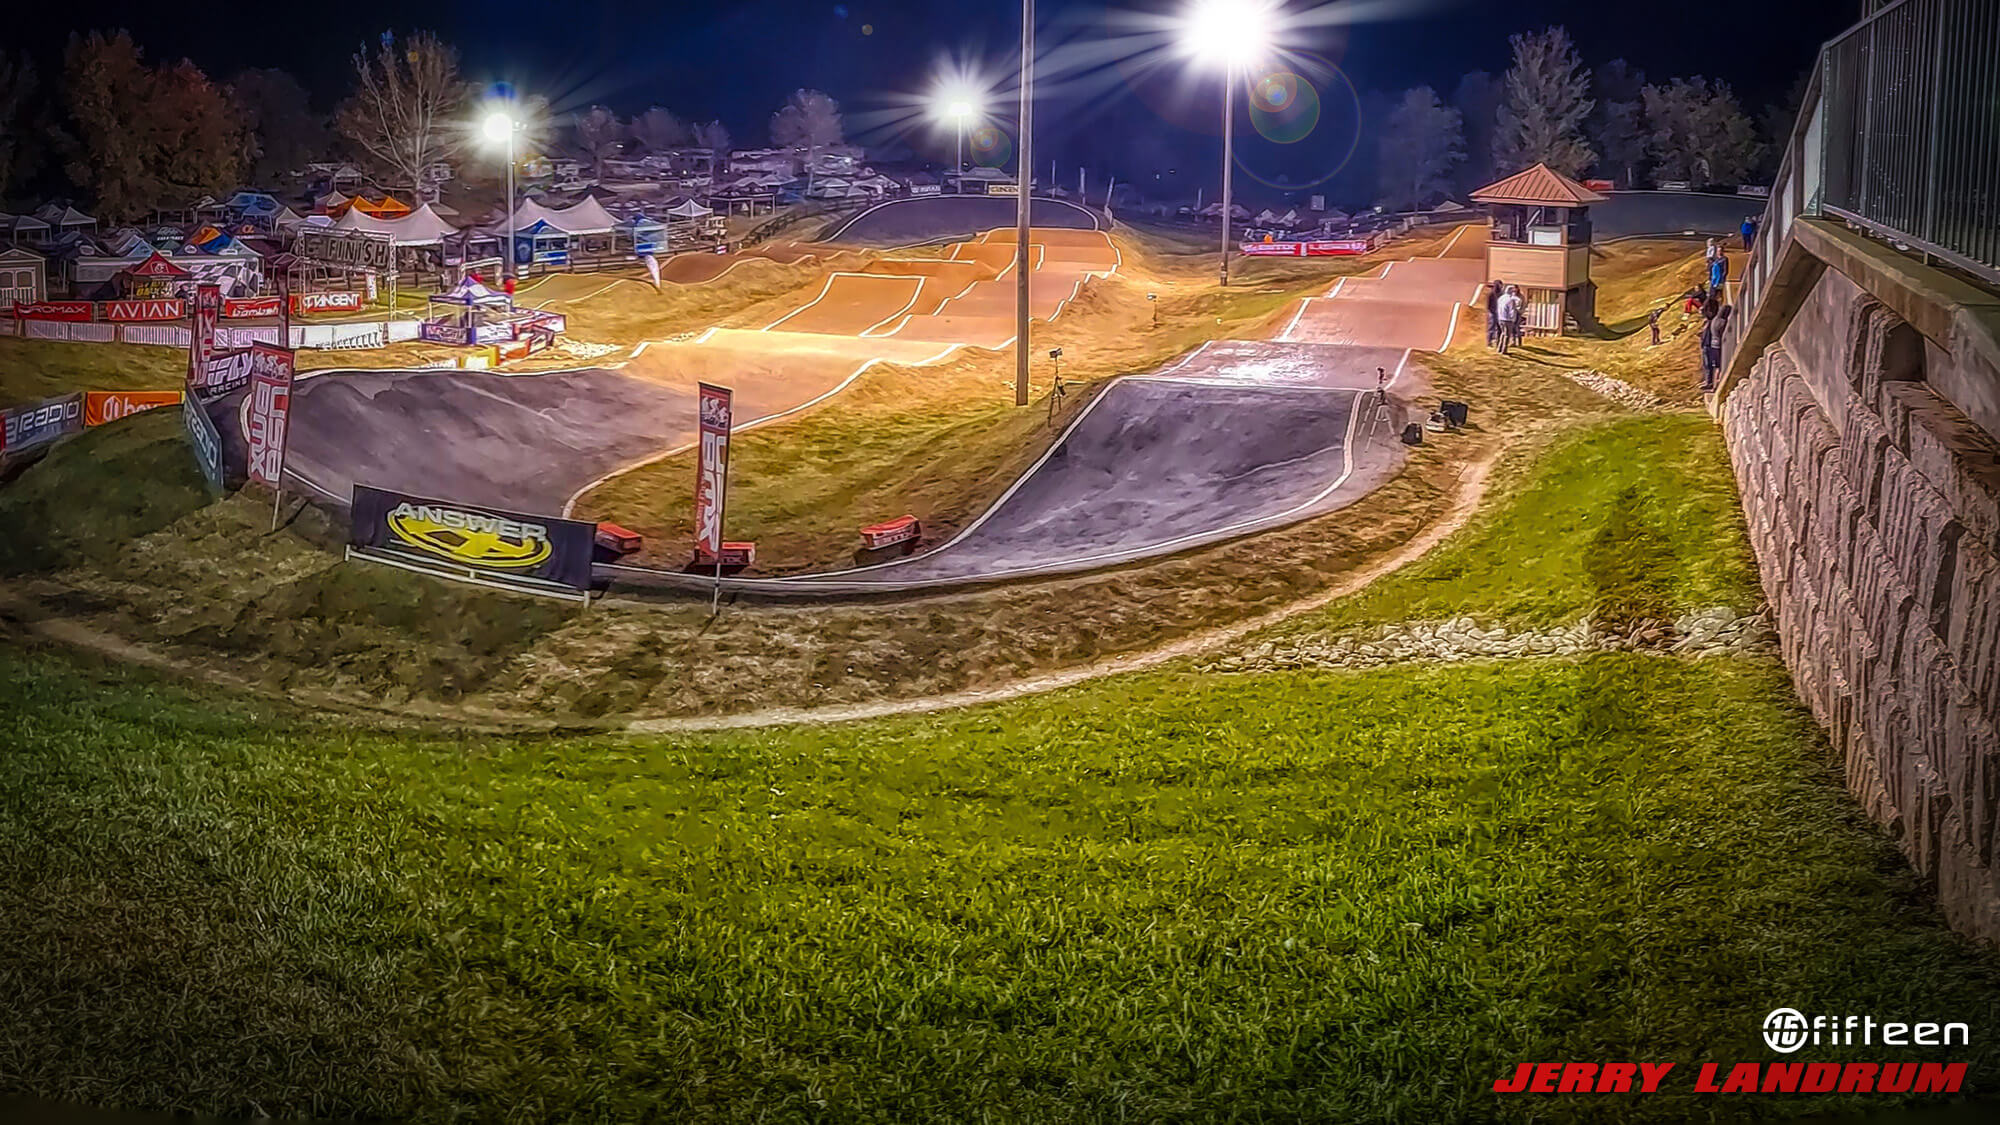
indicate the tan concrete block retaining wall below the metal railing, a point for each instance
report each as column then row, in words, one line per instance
column 1875, row 511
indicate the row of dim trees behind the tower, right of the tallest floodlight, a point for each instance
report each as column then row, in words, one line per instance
column 1549, row 107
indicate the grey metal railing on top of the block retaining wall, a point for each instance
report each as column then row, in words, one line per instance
column 1901, row 137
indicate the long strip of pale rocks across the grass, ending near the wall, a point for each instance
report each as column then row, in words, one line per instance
column 1703, row 634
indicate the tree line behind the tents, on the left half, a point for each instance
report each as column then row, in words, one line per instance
column 133, row 135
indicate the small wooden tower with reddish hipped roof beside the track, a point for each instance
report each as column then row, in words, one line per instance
column 1541, row 243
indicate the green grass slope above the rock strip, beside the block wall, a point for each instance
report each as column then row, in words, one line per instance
column 1627, row 519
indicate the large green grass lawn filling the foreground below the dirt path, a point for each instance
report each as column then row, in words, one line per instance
column 1157, row 900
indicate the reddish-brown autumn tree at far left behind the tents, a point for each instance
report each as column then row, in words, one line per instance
column 145, row 135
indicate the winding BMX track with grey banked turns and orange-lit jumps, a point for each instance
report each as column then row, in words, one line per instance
column 1231, row 439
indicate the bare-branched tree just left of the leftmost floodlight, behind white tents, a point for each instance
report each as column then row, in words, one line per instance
column 407, row 107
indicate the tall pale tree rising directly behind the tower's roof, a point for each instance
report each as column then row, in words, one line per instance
column 1547, row 107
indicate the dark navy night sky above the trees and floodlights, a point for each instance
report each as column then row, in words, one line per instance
column 877, row 57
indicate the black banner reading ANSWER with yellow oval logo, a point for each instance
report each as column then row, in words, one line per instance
column 505, row 547
